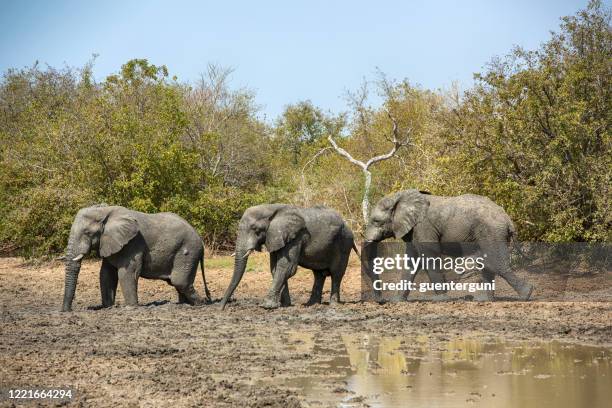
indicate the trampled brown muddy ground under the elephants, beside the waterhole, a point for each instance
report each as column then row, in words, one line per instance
column 163, row 353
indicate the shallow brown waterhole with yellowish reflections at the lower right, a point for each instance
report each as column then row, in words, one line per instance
column 399, row 372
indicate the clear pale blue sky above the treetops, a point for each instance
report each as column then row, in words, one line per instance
column 285, row 51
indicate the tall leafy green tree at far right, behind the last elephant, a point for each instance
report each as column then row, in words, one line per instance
column 535, row 132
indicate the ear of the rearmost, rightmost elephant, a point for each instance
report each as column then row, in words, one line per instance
column 410, row 208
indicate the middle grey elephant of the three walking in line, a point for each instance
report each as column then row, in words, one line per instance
column 314, row 238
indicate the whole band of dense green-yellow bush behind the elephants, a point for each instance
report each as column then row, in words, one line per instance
column 533, row 134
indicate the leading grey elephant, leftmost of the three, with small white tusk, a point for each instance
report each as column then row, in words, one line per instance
column 132, row 245
